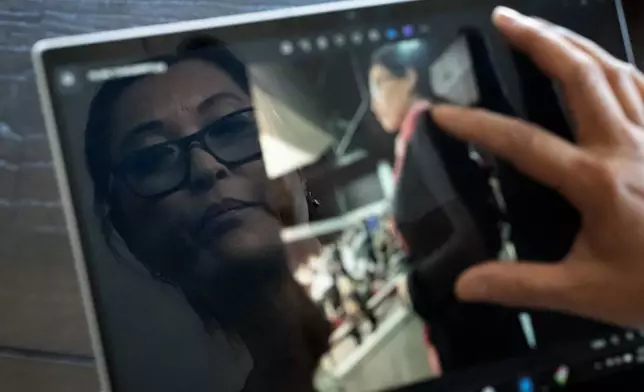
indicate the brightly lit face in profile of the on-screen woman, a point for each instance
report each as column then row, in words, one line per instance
column 391, row 96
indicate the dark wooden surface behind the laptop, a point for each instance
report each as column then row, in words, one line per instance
column 44, row 341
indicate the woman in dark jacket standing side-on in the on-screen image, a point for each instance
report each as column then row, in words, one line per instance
column 444, row 214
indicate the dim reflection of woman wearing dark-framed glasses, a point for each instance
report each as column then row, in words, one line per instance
column 178, row 175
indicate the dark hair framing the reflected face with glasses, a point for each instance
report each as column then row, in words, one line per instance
column 97, row 130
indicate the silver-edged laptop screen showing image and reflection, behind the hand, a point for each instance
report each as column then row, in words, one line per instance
column 241, row 220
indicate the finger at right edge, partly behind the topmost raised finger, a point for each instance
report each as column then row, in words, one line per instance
column 620, row 75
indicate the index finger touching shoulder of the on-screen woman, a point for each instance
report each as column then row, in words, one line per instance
column 532, row 150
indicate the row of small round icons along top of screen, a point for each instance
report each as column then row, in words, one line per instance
column 355, row 38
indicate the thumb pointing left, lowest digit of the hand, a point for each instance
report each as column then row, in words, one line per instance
column 521, row 284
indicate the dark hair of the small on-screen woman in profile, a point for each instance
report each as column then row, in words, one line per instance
column 400, row 57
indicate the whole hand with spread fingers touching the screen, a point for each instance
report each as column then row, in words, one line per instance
column 602, row 277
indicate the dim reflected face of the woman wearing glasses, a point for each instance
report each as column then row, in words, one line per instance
column 222, row 212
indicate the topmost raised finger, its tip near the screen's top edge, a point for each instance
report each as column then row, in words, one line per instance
column 592, row 102
